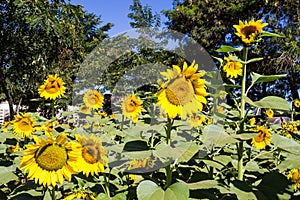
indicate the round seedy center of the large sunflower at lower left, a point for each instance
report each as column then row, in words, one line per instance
column 51, row 157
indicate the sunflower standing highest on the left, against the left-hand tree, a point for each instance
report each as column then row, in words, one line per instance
column 52, row 88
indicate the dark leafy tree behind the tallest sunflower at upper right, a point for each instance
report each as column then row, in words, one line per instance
column 210, row 24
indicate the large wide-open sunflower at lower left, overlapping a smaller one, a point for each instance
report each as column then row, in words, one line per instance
column 49, row 161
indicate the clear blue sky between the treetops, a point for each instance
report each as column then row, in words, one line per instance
column 115, row 11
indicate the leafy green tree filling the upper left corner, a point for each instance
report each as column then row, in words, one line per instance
column 39, row 38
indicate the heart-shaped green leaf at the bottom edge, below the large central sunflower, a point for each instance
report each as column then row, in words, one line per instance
column 148, row 190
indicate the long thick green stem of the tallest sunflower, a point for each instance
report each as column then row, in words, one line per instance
column 240, row 145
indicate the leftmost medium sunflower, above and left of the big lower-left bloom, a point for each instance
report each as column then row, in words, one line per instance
column 23, row 125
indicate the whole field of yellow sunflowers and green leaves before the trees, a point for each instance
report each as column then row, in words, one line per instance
column 181, row 141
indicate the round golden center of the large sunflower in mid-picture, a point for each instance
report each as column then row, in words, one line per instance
column 179, row 92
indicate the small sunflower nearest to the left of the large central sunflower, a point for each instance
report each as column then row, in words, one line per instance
column 132, row 107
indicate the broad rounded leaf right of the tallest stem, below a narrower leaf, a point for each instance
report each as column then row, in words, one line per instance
column 272, row 102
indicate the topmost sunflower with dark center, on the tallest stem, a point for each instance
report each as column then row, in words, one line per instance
column 250, row 30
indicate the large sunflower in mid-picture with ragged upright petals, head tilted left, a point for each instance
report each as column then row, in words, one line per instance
column 183, row 93
